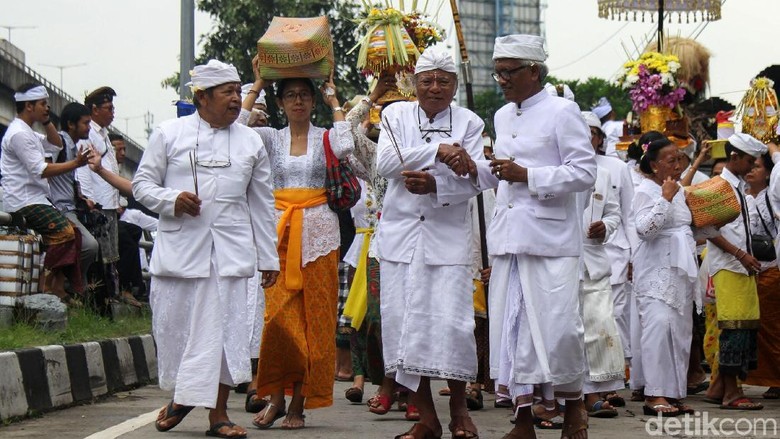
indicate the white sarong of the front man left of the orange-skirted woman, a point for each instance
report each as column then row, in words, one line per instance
column 202, row 330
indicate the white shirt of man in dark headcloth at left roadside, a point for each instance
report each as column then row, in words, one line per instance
column 92, row 185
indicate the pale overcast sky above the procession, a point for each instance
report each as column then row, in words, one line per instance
column 133, row 45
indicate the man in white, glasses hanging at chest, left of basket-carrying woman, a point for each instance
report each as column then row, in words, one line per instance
column 209, row 179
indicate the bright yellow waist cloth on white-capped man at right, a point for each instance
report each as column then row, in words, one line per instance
column 736, row 298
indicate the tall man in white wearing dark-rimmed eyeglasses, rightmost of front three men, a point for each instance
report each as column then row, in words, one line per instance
column 543, row 158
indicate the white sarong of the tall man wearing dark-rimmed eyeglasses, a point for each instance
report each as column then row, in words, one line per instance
column 536, row 333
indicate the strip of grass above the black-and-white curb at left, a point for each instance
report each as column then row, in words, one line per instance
column 83, row 325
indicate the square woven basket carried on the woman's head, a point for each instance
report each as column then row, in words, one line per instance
column 296, row 48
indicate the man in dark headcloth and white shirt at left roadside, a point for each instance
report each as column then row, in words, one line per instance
column 96, row 190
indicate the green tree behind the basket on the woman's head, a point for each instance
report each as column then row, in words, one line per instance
column 240, row 23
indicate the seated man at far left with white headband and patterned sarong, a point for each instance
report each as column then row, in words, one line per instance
column 26, row 188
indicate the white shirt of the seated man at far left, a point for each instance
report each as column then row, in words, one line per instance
column 22, row 165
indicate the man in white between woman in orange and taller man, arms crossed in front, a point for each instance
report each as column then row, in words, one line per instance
column 426, row 151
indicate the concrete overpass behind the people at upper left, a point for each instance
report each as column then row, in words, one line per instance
column 14, row 72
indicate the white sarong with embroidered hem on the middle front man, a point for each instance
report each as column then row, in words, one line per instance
column 427, row 321
